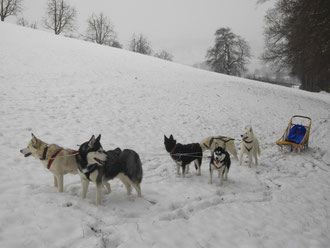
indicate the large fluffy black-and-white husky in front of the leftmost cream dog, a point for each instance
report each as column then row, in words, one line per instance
column 100, row 166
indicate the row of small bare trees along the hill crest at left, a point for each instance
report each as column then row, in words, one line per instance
column 60, row 17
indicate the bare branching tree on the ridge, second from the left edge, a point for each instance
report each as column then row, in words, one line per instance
column 60, row 16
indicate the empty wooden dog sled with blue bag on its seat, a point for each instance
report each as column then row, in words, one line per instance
column 296, row 135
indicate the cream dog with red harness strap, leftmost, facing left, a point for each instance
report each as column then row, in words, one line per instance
column 56, row 159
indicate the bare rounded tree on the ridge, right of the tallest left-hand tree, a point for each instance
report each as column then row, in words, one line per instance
column 101, row 31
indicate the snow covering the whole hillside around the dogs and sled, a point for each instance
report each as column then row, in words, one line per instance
column 64, row 90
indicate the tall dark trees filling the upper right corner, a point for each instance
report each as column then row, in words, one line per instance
column 298, row 37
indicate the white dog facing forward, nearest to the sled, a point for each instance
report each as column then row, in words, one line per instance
column 249, row 145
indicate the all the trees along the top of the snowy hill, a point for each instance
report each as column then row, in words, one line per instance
column 297, row 39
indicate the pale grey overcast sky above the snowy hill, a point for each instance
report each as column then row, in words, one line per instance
column 185, row 28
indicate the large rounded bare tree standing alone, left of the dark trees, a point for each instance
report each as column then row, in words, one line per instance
column 230, row 53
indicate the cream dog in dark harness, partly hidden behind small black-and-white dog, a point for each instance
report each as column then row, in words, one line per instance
column 210, row 143
